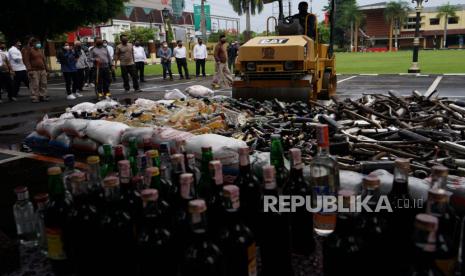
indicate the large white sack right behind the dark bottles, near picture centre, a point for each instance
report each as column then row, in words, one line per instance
column 224, row 149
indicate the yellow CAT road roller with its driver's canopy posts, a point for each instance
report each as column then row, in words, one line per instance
column 290, row 66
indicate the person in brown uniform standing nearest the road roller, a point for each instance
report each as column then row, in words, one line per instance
column 223, row 77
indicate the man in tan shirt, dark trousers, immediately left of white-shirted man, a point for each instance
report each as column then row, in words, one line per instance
column 125, row 55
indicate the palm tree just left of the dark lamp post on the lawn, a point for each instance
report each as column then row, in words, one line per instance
column 395, row 14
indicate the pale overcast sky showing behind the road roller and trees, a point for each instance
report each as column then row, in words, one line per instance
column 258, row 22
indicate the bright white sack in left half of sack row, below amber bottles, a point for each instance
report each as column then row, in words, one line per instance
column 105, row 132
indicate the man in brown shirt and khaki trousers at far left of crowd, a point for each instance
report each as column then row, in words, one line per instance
column 36, row 66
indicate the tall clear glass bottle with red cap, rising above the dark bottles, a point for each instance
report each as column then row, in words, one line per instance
column 325, row 182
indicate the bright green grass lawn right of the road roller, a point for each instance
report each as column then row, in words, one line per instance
column 431, row 62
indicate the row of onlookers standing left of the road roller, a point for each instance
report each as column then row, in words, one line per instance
column 93, row 66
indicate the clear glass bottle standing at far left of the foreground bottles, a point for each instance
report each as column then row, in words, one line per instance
column 25, row 219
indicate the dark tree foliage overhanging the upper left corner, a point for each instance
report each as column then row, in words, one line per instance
column 48, row 18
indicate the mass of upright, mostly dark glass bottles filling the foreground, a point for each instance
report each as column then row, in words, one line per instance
column 155, row 212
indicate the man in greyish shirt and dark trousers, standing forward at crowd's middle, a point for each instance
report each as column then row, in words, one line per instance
column 101, row 58
